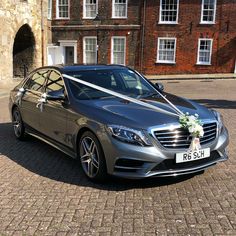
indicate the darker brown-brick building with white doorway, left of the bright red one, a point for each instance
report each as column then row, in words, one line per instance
column 91, row 31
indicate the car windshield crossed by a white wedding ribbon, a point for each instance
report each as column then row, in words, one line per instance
column 123, row 81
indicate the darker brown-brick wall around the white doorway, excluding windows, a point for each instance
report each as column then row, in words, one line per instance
column 104, row 35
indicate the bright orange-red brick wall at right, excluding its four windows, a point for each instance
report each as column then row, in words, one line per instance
column 188, row 31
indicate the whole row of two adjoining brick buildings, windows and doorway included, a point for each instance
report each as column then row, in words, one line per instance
column 152, row 36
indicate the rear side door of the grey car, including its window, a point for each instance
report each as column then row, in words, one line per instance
column 33, row 91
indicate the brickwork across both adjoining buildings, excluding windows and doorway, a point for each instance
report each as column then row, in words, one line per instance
column 187, row 31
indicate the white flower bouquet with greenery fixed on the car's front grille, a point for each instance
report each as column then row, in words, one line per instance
column 193, row 124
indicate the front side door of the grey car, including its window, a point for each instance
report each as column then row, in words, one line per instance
column 53, row 117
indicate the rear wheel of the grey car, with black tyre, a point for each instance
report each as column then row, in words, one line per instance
column 18, row 125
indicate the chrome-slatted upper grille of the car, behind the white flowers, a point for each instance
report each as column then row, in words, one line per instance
column 180, row 138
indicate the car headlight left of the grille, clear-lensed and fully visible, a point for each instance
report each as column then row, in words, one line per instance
column 129, row 135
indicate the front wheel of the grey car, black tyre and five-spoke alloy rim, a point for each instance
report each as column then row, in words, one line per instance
column 92, row 157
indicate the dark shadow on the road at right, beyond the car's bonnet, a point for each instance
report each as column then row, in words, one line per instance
column 221, row 104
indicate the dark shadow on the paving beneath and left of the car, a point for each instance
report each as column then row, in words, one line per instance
column 44, row 160
